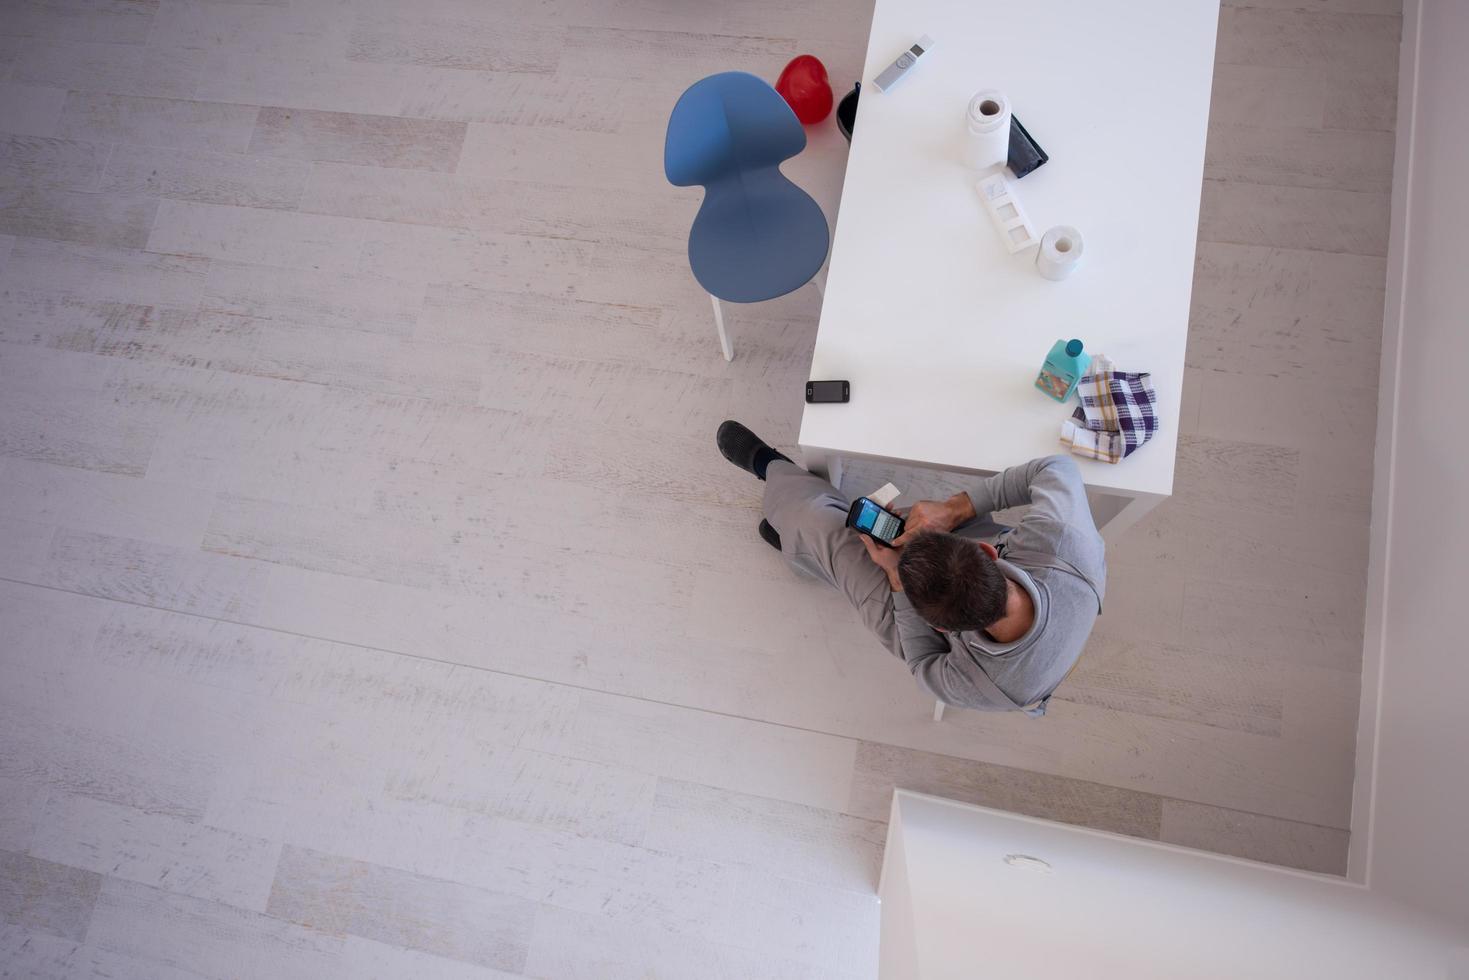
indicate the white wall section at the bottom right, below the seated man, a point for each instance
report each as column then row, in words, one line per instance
column 1122, row 909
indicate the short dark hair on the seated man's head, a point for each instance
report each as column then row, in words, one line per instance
column 953, row 583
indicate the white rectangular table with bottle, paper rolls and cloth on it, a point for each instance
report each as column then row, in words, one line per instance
column 936, row 325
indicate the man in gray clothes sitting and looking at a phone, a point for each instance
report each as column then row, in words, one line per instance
column 981, row 625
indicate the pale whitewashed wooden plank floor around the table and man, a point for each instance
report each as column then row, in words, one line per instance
column 374, row 602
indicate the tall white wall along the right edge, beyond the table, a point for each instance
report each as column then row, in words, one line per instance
column 1411, row 825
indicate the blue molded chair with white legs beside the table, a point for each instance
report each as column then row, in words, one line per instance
column 757, row 236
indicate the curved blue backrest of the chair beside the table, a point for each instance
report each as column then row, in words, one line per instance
column 726, row 124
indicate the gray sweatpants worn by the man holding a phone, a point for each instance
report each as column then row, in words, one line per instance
column 812, row 519
